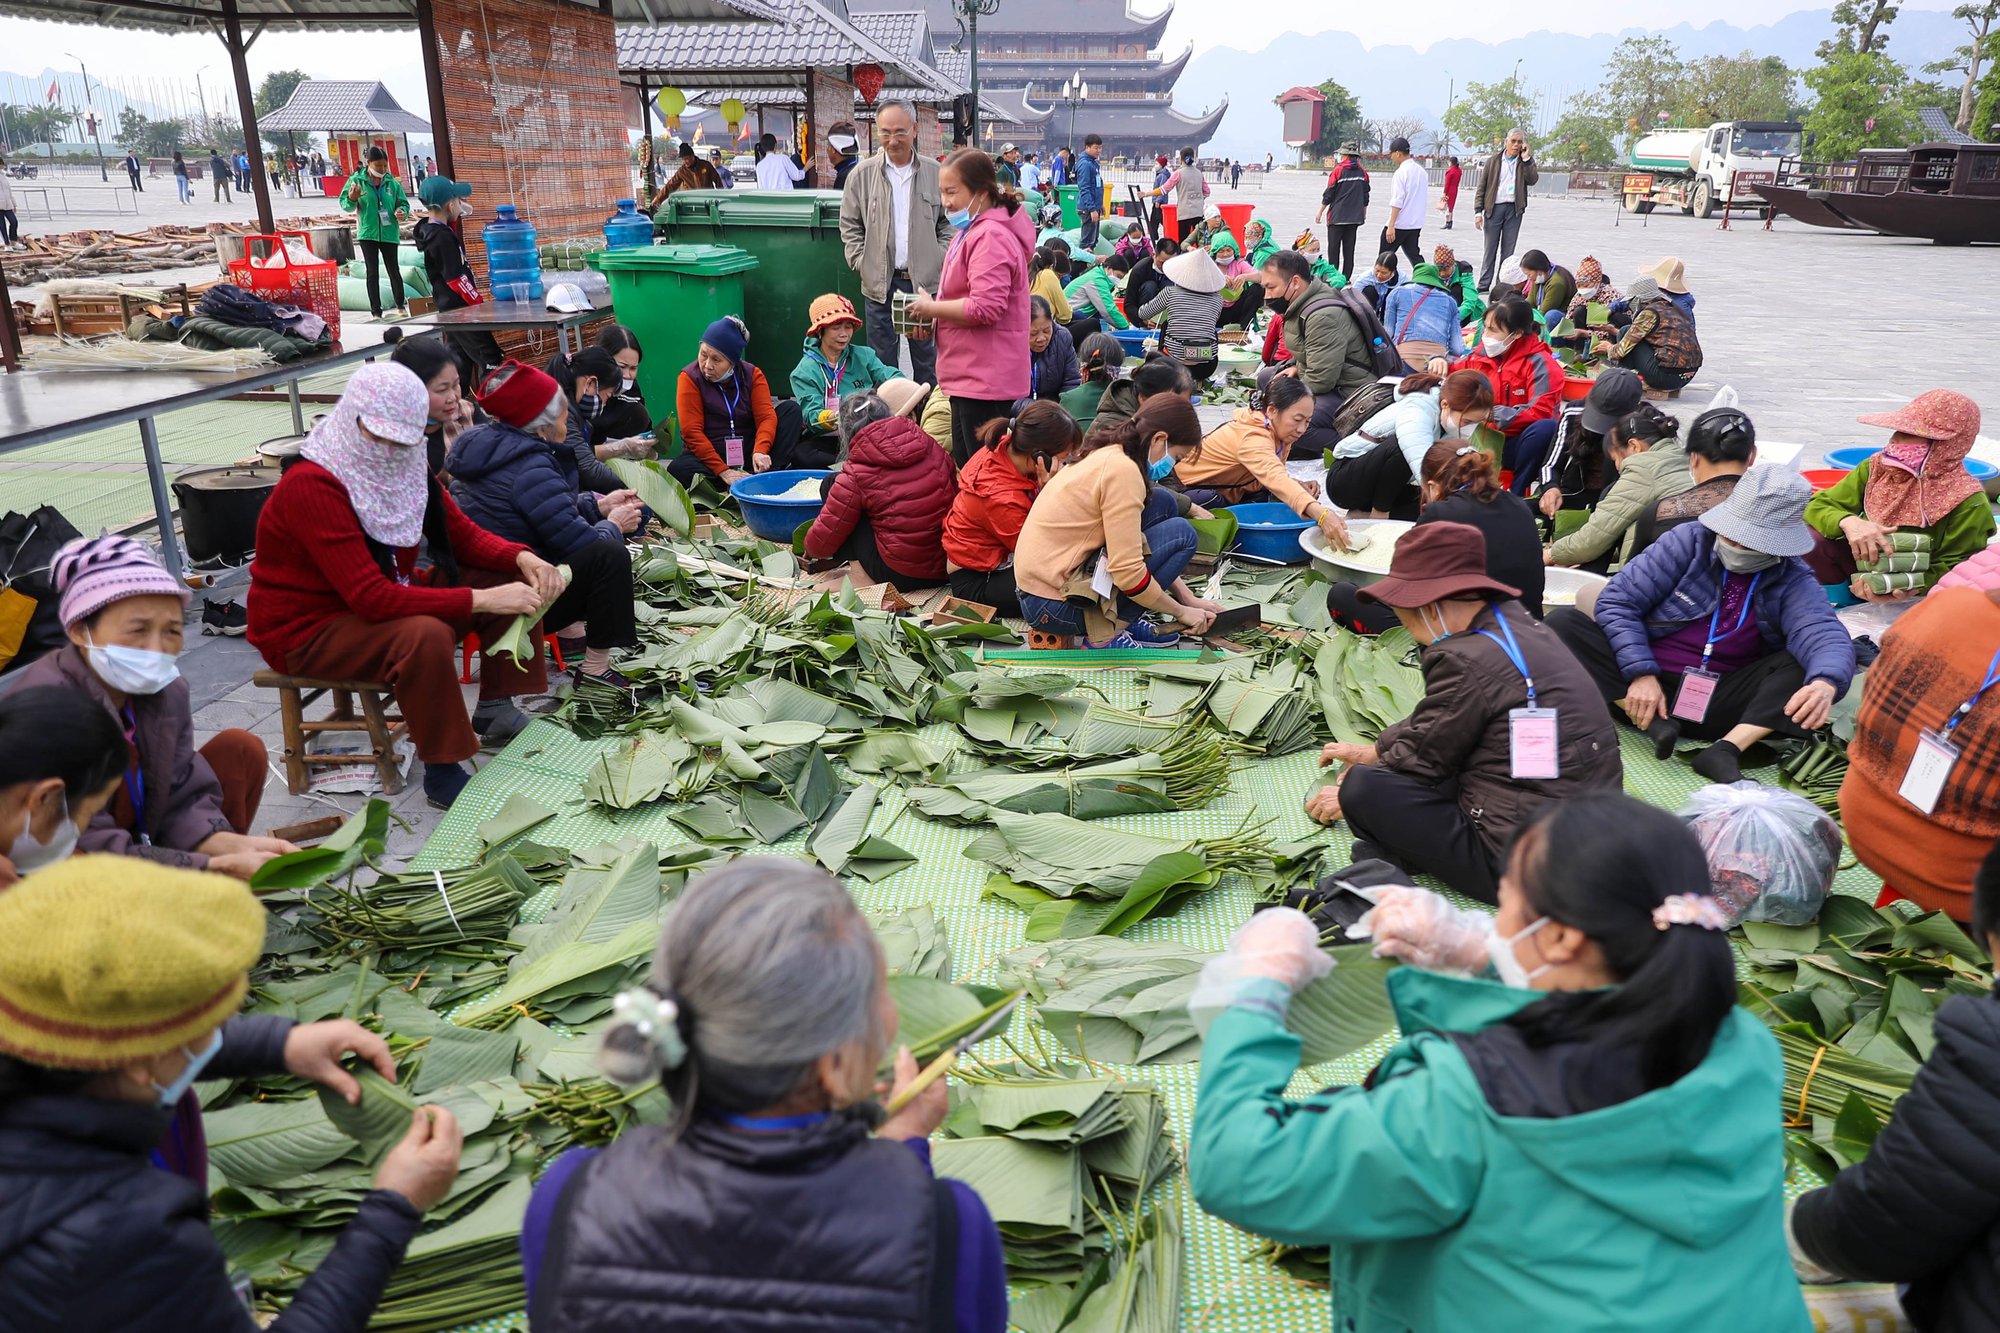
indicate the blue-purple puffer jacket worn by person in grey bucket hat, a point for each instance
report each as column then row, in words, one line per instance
column 1679, row 581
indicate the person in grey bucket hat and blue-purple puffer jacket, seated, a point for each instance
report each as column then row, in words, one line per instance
column 1721, row 629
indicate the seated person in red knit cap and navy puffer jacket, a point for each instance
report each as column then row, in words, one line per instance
column 517, row 477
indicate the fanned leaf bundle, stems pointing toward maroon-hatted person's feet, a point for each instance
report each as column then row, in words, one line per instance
column 1083, row 880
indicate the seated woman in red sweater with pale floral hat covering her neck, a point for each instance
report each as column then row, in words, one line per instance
column 335, row 591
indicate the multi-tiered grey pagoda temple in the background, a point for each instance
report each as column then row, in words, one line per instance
column 1033, row 47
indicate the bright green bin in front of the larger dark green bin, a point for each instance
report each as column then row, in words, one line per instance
column 669, row 295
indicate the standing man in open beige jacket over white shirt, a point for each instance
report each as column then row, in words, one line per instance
column 895, row 233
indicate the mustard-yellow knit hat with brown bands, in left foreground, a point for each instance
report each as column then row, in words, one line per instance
column 113, row 960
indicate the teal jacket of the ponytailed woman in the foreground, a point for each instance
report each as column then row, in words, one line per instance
column 1663, row 1214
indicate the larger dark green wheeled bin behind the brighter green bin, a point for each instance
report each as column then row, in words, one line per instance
column 797, row 239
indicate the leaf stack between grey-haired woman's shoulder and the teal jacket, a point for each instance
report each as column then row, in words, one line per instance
column 1055, row 1152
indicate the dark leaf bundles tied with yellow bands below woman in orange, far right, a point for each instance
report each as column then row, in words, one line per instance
column 1851, row 1002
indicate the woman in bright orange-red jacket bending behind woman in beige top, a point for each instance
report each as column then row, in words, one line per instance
column 995, row 489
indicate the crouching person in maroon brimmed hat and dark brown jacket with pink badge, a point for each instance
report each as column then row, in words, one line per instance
column 1507, row 724
